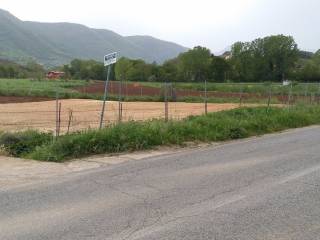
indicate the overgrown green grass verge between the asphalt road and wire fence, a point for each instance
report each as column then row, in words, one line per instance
column 131, row 136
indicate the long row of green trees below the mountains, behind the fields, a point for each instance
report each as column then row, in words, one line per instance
column 273, row 58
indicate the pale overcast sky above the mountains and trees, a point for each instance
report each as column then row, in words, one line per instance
column 215, row 24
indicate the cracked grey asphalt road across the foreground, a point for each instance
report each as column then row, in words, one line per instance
column 262, row 188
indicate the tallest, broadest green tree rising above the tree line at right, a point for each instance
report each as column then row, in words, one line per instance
column 270, row 58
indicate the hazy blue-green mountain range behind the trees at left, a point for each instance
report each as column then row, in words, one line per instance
column 53, row 44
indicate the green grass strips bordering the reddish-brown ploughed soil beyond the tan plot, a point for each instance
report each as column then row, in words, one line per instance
column 66, row 89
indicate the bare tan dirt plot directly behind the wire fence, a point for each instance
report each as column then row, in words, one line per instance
column 86, row 113
